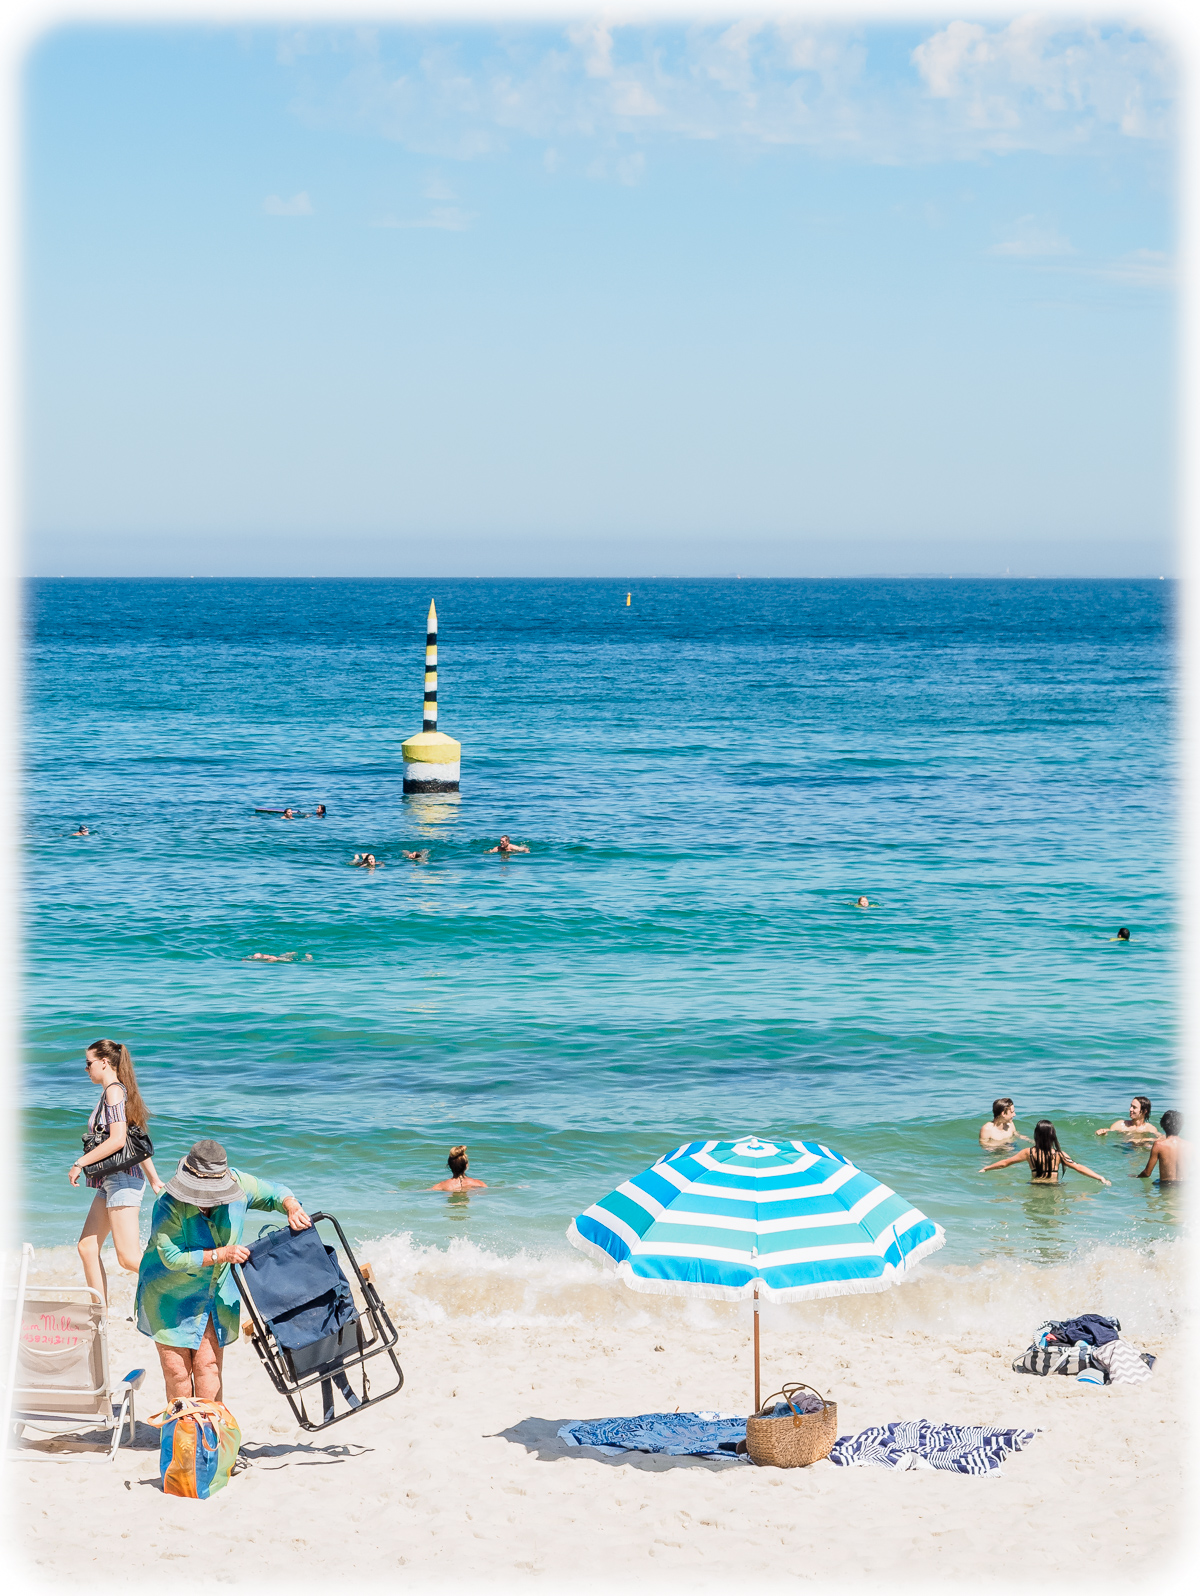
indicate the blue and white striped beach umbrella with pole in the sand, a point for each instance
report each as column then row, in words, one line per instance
column 791, row 1220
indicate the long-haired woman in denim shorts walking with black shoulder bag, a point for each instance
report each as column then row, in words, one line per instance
column 119, row 1198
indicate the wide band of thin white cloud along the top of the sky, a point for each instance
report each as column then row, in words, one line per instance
column 966, row 92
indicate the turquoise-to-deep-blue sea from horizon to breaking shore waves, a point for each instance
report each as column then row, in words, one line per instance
column 708, row 780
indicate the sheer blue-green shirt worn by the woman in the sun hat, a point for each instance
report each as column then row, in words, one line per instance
column 176, row 1292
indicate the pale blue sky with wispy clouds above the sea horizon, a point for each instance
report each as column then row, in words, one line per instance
column 757, row 298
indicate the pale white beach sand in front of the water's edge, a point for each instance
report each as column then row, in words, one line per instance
column 462, row 1480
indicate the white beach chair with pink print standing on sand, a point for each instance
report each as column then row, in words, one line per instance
column 58, row 1369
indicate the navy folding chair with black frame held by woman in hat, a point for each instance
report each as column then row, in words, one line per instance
column 310, row 1327
